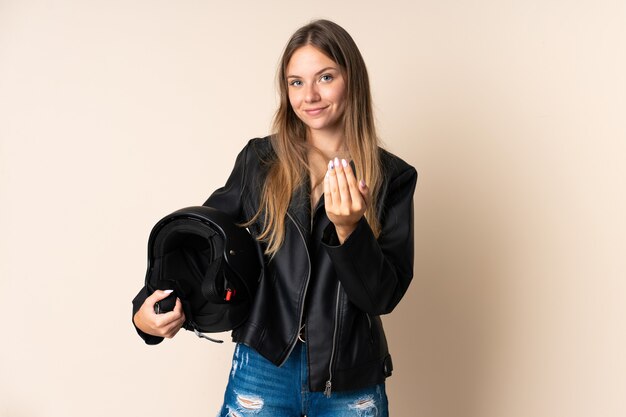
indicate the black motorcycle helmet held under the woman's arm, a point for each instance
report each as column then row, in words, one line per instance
column 209, row 262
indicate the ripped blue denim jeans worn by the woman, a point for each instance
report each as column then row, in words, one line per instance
column 258, row 388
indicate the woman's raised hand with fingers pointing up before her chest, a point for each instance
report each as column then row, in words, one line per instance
column 345, row 198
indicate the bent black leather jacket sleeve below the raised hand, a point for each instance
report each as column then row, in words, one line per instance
column 375, row 273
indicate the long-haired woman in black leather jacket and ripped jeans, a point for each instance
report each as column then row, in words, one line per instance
column 333, row 212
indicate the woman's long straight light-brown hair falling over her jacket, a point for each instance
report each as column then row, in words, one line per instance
column 290, row 169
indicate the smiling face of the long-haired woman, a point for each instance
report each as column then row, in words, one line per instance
column 316, row 89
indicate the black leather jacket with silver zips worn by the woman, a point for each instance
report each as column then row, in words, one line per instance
column 337, row 291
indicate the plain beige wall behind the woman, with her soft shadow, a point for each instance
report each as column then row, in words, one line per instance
column 115, row 113
